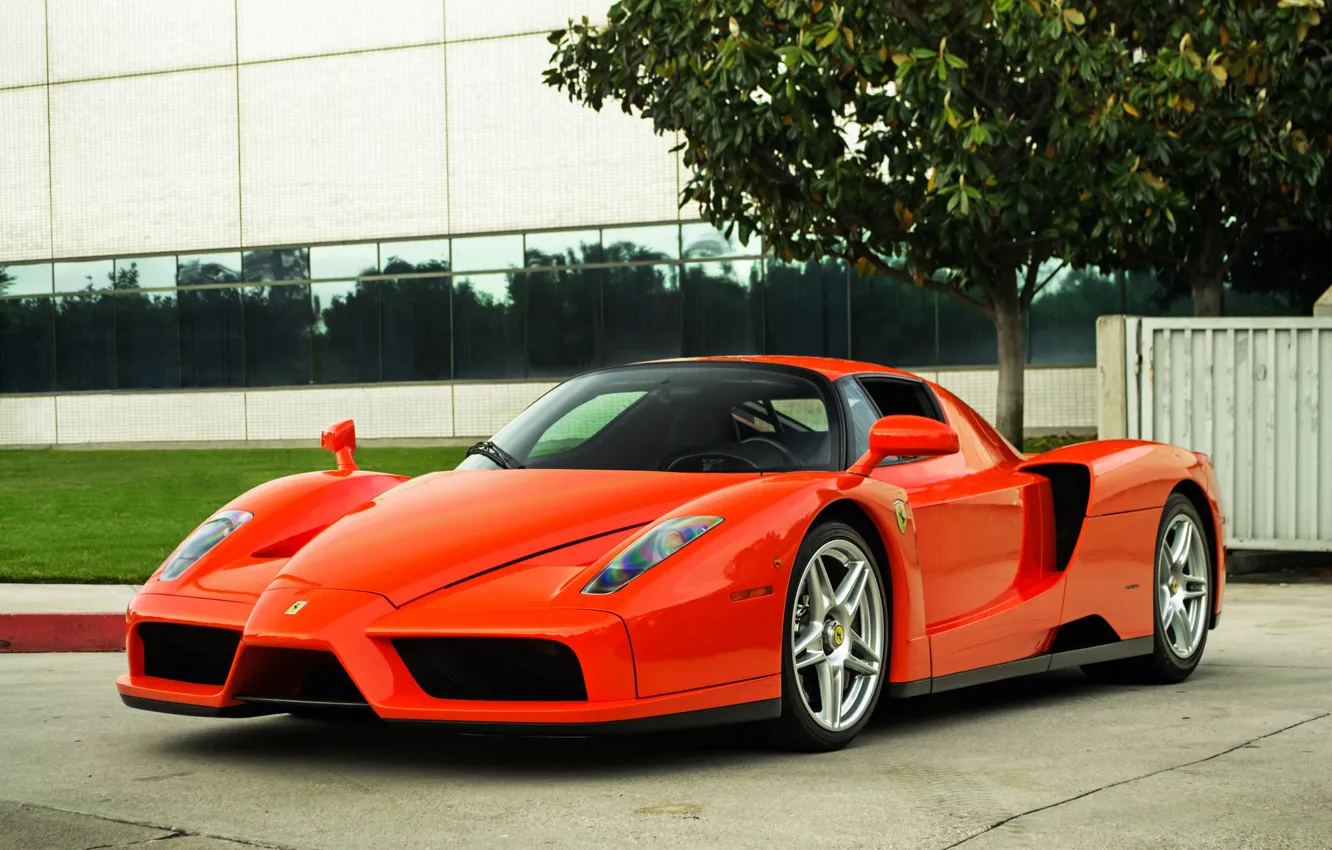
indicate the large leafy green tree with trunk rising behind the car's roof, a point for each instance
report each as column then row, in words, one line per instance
column 973, row 139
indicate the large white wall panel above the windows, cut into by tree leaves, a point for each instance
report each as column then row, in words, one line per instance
column 528, row 158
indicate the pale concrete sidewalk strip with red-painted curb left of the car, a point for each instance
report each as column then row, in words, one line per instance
column 63, row 619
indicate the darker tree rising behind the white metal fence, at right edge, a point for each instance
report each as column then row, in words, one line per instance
column 1230, row 107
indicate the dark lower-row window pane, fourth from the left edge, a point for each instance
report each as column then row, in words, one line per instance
column 211, row 338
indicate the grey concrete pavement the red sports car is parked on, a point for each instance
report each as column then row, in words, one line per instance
column 1238, row 757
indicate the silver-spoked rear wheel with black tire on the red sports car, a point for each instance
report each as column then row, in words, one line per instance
column 1182, row 587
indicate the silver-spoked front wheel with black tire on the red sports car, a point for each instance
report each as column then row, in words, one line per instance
column 836, row 639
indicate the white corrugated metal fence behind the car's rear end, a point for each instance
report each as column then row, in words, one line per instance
column 1253, row 394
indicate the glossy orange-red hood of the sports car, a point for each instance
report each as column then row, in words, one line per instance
column 446, row 528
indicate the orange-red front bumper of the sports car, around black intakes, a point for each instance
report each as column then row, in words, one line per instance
column 359, row 630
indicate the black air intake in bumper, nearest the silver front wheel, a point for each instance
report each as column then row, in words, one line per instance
column 501, row 669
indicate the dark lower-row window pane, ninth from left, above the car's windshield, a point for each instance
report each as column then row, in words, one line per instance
column 563, row 318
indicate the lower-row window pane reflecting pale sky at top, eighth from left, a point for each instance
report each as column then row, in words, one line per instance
column 488, row 327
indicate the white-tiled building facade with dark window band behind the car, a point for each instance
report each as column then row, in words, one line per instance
column 243, row 219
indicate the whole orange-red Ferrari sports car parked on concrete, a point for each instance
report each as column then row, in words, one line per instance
column 689, row 543
